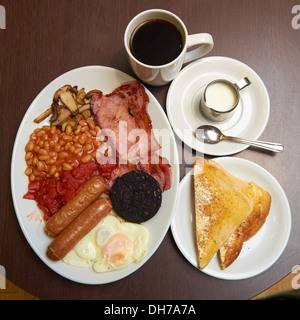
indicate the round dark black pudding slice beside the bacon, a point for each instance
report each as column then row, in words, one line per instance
column 136, row 196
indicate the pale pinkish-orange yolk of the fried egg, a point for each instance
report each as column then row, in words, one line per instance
column 118, row 250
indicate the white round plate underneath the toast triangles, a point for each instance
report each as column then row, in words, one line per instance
column 261, row 251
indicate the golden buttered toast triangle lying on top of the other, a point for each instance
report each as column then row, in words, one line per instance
column 220, row 207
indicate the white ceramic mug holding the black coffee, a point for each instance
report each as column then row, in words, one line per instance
column 163, row 74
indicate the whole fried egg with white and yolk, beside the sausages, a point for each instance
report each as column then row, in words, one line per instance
column 112, row 245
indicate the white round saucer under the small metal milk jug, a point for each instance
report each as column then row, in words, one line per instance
column 183, row 98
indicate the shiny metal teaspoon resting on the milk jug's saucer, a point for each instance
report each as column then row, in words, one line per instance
column 212, row 135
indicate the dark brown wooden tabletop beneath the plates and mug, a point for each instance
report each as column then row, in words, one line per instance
column 44, row 39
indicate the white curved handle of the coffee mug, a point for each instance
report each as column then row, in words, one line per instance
column 204, row 43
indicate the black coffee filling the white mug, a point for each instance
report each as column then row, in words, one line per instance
column 156, row 42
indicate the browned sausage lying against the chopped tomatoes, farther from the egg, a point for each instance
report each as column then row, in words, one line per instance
column 90, row 191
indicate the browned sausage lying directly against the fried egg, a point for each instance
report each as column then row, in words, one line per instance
column 77, row 229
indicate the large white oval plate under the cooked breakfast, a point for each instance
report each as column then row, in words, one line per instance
column 105, row 79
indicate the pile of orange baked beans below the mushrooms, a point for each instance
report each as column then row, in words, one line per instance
column 50, row 152
